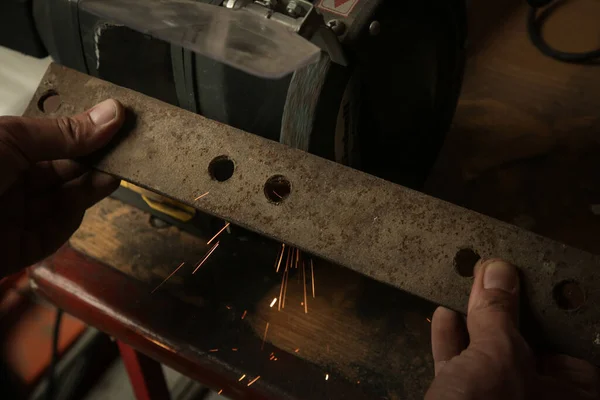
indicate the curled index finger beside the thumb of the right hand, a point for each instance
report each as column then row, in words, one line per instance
column 448, row 336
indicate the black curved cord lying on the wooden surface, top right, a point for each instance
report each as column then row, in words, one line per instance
column 536, row 20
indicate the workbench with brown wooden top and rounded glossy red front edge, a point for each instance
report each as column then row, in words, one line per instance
column 523, row 148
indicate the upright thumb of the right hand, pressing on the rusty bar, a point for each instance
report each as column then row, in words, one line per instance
column 494, row 301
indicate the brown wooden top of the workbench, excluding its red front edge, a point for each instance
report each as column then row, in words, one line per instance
column 524, row 148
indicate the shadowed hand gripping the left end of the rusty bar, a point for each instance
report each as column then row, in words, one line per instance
column 43, row 192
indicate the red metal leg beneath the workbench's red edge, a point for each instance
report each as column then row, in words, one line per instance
column 145, row 374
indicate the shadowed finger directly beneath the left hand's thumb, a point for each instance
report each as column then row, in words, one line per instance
column 48, row 174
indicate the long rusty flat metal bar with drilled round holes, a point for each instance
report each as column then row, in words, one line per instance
column 387, row 232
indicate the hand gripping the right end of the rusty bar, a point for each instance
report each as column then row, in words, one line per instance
column 489, row 359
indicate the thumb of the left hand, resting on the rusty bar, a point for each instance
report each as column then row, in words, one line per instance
column 30, row 140
